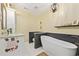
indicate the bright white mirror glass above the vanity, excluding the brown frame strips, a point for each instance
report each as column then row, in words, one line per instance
column 10, row 19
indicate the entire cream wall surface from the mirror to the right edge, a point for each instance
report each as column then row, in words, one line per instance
column 26, row 22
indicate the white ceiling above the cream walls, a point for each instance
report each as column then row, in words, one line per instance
column 34, row 7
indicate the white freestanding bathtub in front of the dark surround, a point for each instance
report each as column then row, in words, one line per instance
column 56, row 47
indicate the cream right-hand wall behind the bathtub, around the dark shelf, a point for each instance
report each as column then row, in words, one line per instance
column 65, row 14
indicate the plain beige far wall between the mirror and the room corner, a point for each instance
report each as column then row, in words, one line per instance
column 25, row 23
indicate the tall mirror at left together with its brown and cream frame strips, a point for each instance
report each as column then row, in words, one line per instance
column 8, row 18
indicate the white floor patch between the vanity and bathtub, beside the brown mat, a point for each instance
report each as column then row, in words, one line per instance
column 32, row 51
